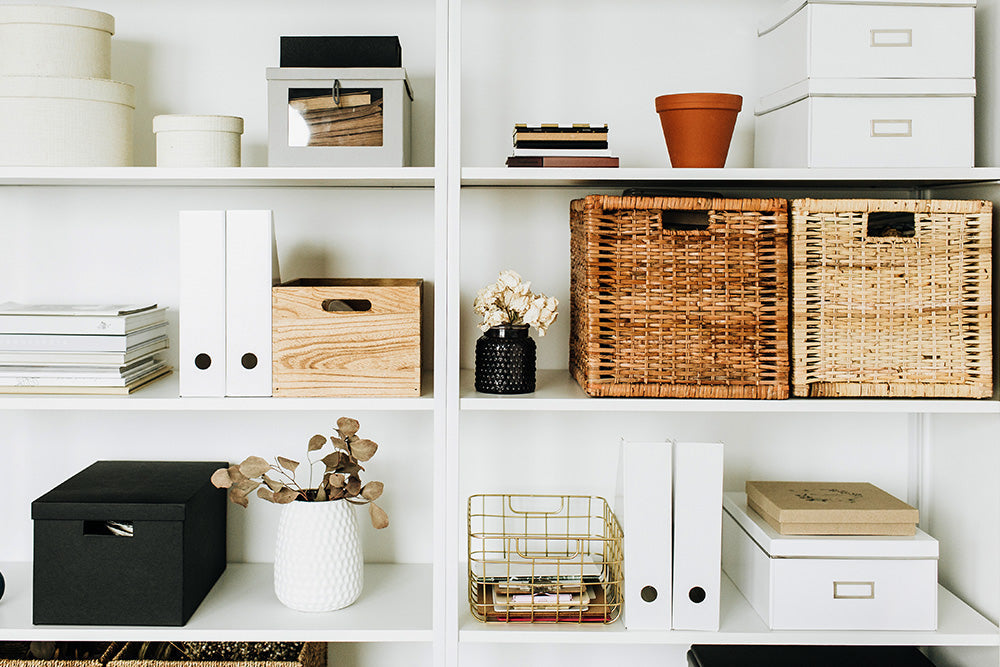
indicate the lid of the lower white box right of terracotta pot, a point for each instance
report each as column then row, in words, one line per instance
column 865, row 88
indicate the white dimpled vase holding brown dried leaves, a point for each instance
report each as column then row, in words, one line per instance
column 317, row 558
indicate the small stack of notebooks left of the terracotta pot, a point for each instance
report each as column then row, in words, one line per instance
column 554, row 145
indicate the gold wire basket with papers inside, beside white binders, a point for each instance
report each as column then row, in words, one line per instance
column 544, row 559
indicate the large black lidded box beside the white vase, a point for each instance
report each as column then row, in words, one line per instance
column 89, row 570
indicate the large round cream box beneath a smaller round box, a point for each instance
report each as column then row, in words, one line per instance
column 59, row 122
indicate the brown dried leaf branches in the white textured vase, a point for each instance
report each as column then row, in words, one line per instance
column 340, row 479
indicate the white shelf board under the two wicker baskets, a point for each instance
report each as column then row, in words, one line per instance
column 556, row 390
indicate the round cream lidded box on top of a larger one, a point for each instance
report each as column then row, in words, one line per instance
column 38, row 40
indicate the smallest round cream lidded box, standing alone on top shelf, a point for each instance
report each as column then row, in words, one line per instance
column 197, row 141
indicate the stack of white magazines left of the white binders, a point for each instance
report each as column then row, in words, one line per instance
column 47, row 349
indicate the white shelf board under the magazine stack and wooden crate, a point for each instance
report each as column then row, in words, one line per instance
column 163, row 395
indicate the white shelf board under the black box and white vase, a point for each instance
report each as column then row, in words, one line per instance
column 395, row 606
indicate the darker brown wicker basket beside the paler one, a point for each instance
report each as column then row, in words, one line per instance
column 662, row 305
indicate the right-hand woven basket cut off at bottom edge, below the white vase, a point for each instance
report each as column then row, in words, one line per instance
column 221, row 654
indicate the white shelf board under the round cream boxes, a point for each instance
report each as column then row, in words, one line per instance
column 352, row 177
